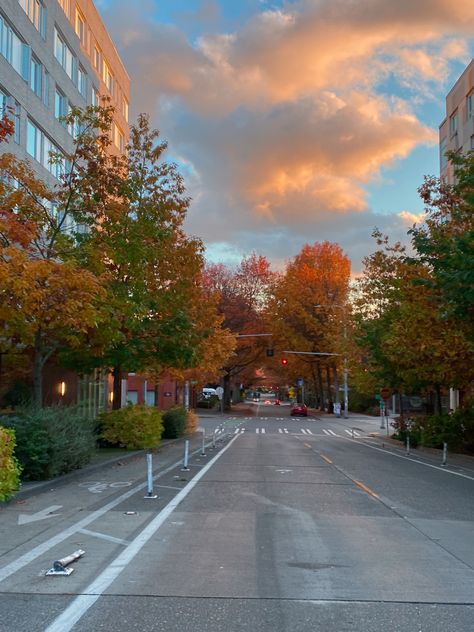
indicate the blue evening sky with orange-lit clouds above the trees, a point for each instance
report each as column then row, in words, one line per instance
column 295, row 122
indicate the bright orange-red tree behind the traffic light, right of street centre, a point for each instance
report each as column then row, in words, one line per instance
column 308, row 312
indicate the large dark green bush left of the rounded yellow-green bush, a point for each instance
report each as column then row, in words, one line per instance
column 52, row 441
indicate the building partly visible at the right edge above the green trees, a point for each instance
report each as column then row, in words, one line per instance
column 456, row 132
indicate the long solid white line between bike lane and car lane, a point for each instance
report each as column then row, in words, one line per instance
column 75, row 611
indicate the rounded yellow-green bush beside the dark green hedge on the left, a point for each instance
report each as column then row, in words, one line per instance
column 135, row 427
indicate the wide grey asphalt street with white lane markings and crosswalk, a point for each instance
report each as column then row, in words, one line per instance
column 286, row 525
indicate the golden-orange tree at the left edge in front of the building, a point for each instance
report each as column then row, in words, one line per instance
column 47, row 301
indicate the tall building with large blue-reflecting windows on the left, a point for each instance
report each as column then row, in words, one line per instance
column 55, row 54
